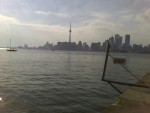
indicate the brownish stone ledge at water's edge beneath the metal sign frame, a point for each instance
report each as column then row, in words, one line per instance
column 133, row 100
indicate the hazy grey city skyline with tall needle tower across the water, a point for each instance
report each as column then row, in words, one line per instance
column 116, row 42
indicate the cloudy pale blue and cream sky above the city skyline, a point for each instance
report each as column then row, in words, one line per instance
column 34, row 22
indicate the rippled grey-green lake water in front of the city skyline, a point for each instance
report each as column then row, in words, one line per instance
column 36, row 81
